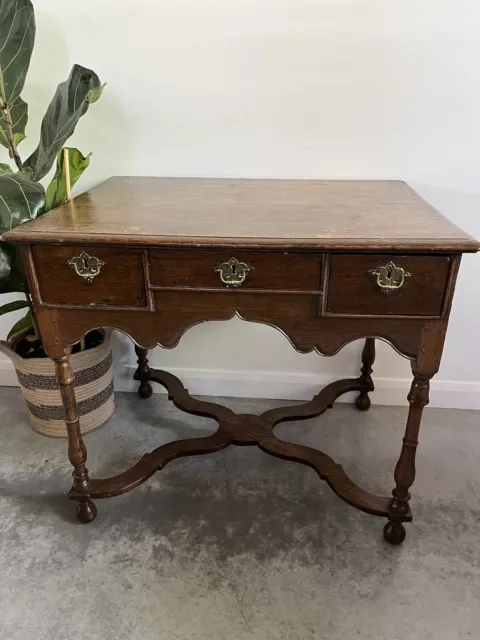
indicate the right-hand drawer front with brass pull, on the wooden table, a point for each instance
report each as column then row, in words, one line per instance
column 375, row 285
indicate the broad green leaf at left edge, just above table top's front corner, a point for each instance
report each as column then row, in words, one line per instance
column 21, row 199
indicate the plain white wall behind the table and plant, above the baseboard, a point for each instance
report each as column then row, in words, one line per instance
column 282, row 88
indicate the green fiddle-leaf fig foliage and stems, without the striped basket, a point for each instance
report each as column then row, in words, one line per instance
column 22, row 196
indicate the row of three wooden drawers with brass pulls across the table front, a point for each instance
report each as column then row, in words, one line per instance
column 371, row 285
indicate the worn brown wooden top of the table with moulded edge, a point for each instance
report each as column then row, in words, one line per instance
column 304, row 214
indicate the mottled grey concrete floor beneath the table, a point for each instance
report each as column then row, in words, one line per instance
column 239, row 545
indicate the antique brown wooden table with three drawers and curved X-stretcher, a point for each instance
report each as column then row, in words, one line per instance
column 324, row 262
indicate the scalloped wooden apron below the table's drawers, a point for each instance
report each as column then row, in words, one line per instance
column 176, row 312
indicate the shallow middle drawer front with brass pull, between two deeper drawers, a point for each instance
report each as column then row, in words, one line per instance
column 224, row 270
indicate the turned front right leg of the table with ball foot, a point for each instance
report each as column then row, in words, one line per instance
column 418, row 397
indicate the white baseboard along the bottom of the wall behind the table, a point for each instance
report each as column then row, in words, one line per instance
column 446, row 394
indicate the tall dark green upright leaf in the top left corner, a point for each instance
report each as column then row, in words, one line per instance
column 17, row 37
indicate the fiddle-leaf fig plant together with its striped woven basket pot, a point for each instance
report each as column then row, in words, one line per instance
column 23, row 198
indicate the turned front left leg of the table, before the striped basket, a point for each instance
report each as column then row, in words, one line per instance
column 77, row 453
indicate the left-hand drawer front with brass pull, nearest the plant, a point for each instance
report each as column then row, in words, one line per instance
column 63, row 276
